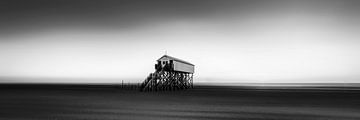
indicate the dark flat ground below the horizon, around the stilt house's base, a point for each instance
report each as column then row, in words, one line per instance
column 64, row 102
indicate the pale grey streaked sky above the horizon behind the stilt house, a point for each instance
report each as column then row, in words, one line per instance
column 228, row 41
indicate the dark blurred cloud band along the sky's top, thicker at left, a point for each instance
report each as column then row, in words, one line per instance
column 19, row 16
